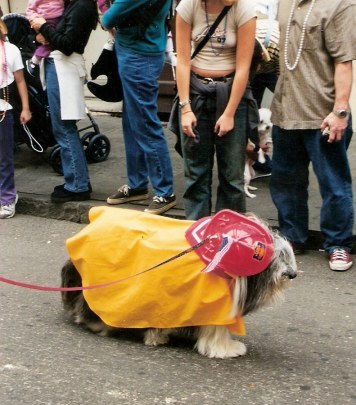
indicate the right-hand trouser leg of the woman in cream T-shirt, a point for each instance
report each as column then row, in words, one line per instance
column 231, row 155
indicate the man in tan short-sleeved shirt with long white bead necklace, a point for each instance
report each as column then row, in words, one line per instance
column 311, row 98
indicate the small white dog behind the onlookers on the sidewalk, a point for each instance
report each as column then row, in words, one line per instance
column 265, row 140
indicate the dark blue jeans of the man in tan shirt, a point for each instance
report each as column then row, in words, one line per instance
column 292, row 153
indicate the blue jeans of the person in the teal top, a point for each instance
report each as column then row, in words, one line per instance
column 147, row 154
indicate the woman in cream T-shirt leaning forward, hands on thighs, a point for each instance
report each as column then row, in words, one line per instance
column 213, row 110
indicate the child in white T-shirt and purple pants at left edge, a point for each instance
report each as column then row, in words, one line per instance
column 11, row 71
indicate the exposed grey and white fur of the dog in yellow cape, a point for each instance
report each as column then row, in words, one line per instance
column 250, row 293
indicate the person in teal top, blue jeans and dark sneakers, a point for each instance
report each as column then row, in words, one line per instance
column 140, row 42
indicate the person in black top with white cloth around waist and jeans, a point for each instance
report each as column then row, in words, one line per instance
column 64, row 79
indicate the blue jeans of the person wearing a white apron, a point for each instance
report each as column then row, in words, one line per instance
column 65, row 132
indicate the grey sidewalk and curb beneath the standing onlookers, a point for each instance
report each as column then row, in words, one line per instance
column 35, row 178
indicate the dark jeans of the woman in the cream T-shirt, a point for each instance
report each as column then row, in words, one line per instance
column 199, row 161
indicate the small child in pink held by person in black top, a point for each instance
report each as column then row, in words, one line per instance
column 51, row 11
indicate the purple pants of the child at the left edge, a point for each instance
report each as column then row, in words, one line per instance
column 7, row 145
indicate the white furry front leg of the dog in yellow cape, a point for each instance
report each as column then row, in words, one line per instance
column 216, row 342
